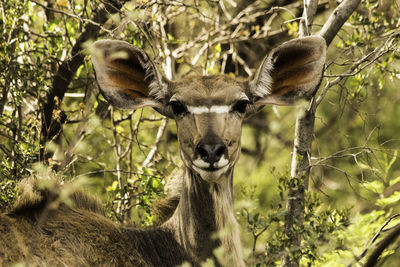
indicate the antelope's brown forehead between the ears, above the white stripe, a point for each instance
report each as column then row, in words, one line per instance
column 209, row 90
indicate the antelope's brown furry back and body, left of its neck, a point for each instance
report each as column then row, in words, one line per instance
column 42, row 230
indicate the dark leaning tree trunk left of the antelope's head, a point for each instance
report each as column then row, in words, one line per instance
column 52, row 126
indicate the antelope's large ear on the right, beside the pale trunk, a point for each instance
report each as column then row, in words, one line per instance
column 291, row 71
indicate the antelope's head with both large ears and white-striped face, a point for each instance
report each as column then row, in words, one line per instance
column 208, row 110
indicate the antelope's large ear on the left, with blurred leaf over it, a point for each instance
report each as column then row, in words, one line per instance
column 126, row 75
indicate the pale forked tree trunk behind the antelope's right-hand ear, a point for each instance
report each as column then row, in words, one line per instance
column 300, row 169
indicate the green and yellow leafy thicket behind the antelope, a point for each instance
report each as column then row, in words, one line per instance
column 54, row 121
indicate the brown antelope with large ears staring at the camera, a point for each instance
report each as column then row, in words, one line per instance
column 209, row 112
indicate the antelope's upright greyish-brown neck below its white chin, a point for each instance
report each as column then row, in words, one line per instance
column 205, row 211
